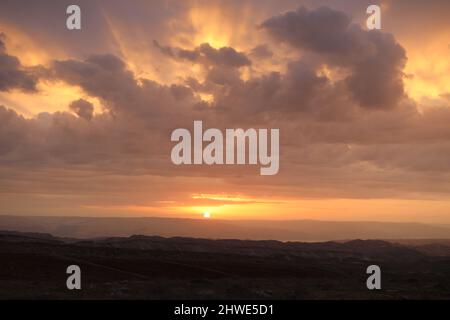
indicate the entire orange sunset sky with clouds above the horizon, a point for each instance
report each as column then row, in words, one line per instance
column 86, row 115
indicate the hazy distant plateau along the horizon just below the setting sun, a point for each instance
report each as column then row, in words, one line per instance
column 296, row 230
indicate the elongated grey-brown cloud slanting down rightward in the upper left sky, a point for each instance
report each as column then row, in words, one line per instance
column 124, row 95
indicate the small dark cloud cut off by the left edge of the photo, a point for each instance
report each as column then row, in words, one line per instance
column 12, row 74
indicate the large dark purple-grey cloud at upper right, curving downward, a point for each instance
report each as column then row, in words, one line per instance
column 374, row 59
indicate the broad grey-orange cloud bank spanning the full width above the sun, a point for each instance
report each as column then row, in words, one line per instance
column 355, row 136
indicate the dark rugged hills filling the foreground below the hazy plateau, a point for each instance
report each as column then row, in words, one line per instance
column 33, row 266
